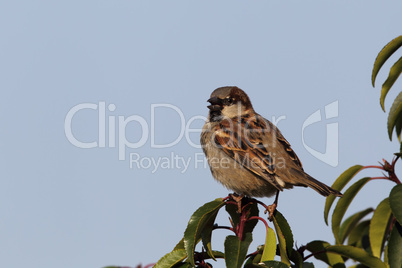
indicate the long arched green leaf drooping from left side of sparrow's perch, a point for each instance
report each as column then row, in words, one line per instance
column 201, row 218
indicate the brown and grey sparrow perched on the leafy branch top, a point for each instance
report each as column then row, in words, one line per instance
column 247, row 153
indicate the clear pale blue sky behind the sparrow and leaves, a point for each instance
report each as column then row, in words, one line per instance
column 64, row 206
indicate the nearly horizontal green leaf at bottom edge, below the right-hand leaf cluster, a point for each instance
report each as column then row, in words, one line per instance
column 357, row 254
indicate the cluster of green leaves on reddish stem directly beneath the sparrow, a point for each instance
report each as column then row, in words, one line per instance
column 235, row 246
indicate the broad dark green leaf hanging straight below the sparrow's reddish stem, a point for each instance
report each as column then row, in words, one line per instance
column 236, row 250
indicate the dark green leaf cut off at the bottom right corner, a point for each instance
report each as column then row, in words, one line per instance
column 395, row 246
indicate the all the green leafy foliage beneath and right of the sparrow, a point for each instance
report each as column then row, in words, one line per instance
column 371, row 237
